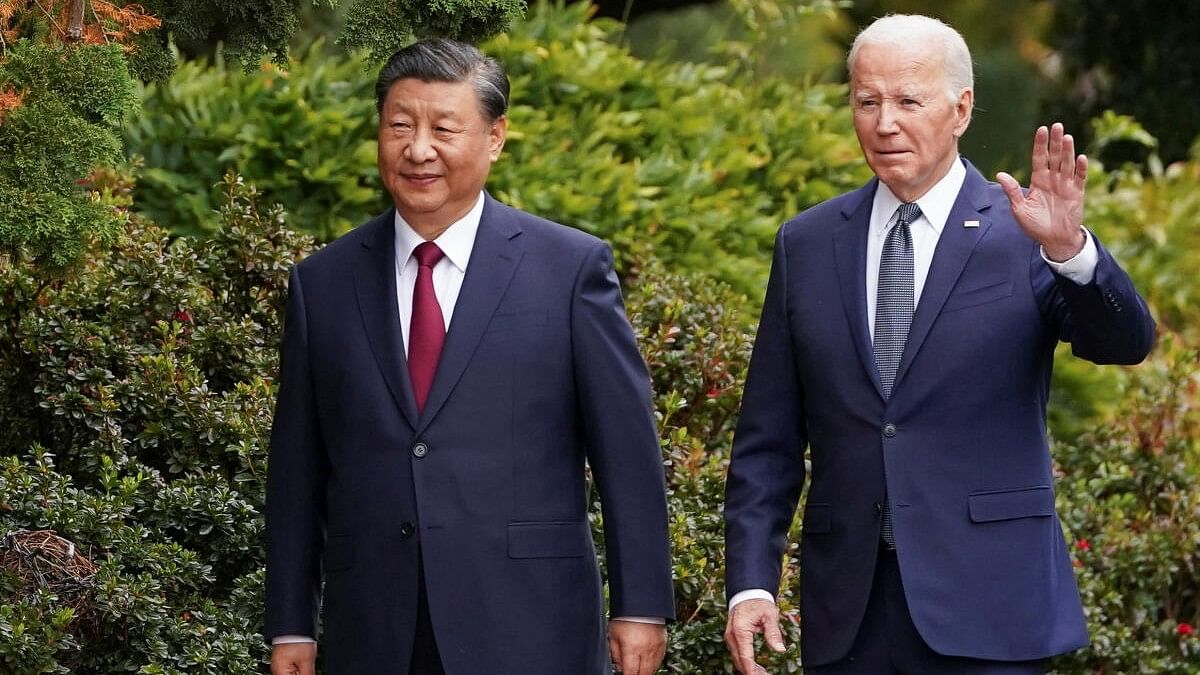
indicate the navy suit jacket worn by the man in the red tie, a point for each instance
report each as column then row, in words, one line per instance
column 539, row 375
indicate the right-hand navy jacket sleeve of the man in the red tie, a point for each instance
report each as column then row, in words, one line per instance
column 622, row 443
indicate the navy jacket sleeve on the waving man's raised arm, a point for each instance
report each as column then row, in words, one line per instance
column 1106, row 321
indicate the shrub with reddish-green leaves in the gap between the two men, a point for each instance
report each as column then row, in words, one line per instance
column 695, row 341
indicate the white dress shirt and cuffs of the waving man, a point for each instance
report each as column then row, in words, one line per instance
column 935, row 210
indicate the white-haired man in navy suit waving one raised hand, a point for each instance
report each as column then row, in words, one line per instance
column 907, row 339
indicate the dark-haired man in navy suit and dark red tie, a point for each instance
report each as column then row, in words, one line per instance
column 449, row 371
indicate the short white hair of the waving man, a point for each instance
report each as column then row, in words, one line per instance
column 907, row 29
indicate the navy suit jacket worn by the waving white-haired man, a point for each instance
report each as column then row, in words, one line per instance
column 961, row 447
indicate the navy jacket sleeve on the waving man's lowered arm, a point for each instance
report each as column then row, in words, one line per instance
column 767, row 467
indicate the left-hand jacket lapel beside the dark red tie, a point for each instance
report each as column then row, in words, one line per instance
column 375, row 284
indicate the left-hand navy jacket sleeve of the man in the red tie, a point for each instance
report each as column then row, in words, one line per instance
column 296, row 485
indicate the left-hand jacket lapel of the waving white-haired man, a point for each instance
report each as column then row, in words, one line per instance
column 850, row 254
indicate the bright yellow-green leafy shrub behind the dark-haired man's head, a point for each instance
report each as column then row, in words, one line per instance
column 697, row 159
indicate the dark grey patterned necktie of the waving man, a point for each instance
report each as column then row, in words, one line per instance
column 893, row 318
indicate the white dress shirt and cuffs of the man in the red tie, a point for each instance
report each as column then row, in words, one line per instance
column 457, row 244
